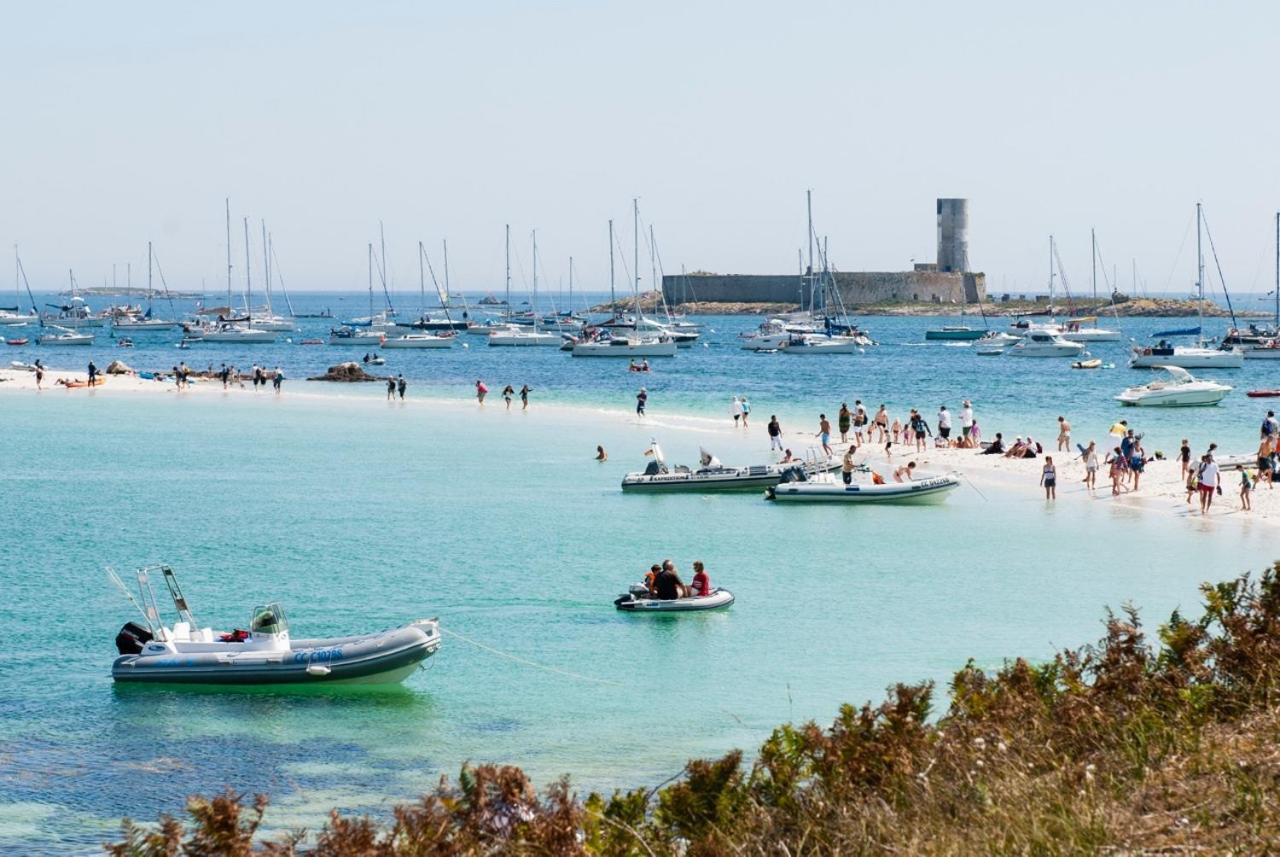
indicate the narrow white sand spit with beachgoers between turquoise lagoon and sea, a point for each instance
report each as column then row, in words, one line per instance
column 1163, row 488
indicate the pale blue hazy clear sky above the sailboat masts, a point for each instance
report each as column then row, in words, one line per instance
column 127, row 123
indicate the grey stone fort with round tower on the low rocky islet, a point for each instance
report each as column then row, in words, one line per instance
column 949, row 281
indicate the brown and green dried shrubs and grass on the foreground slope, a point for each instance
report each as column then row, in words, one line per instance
column 1117, row 748
